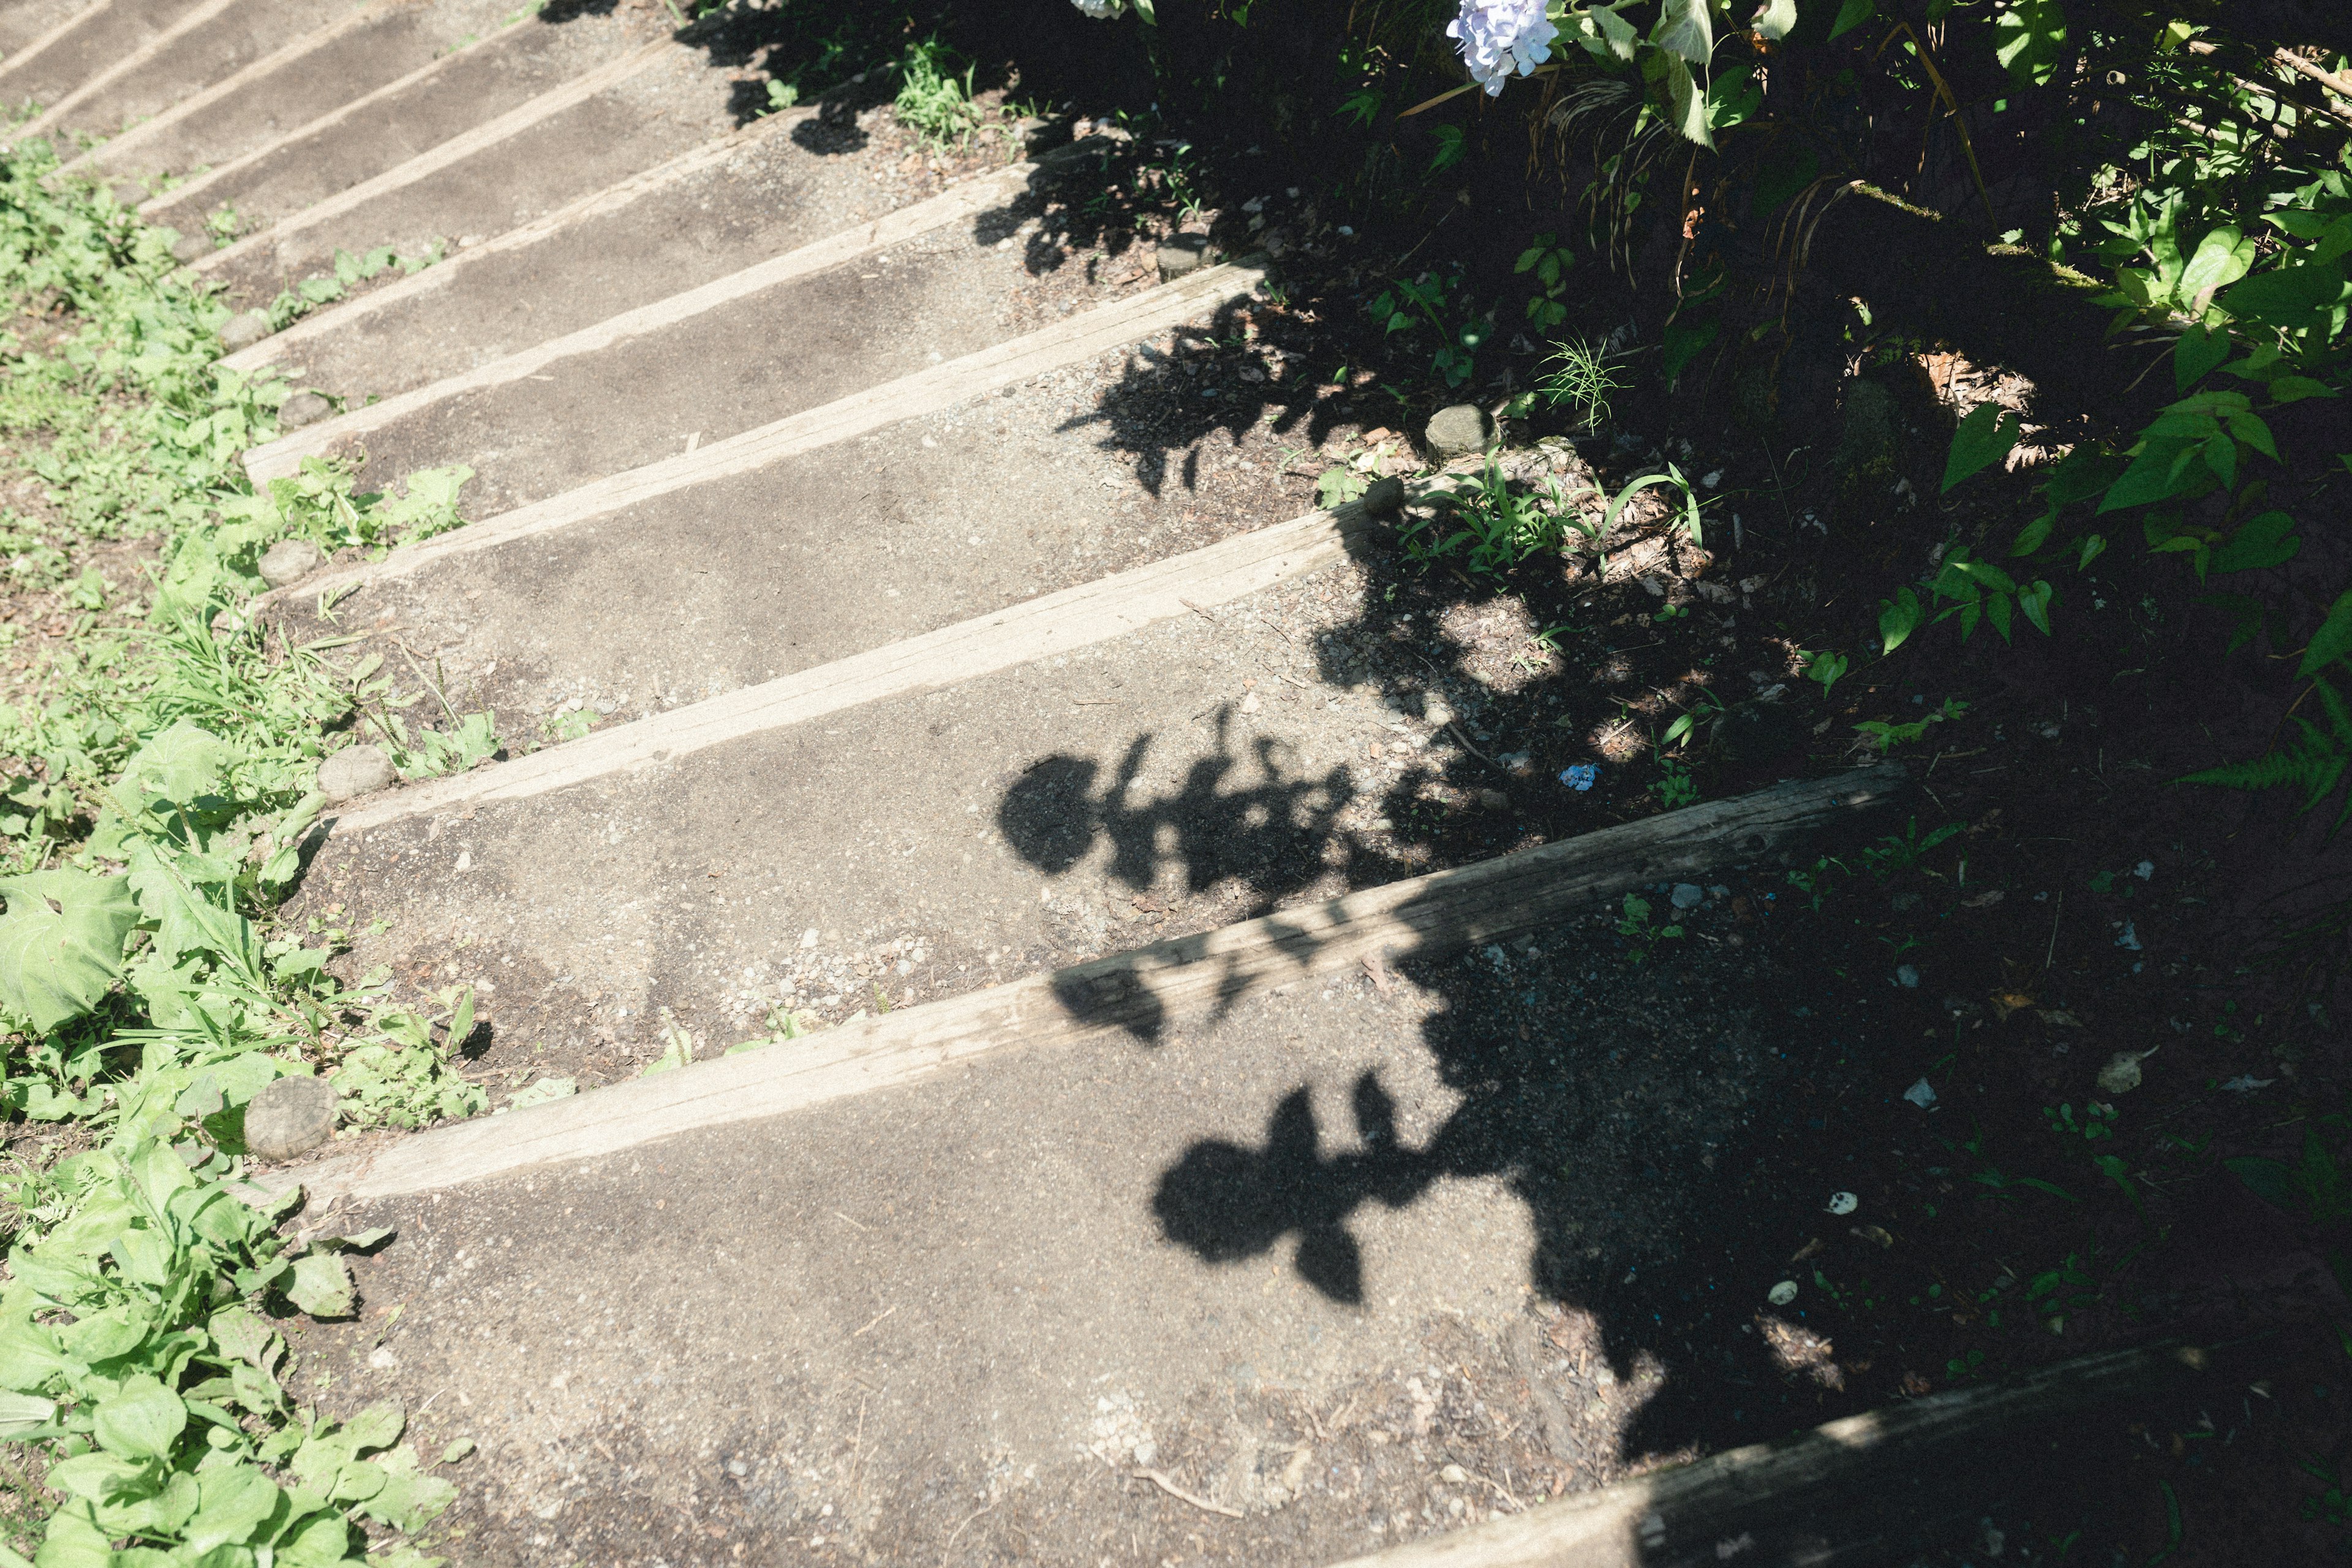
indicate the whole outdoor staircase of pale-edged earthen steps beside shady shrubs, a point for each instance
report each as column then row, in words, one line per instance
column 926, row 706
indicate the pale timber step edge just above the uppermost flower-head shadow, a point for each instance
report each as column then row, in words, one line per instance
column 1022, row 634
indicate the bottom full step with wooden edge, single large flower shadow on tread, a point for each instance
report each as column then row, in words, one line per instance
column 1271, row 1275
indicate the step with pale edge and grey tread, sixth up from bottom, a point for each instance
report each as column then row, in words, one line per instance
column 709, row 213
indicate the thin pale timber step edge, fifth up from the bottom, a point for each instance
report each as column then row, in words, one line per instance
column 286, row 455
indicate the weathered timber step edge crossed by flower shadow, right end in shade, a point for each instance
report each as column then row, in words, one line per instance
column 1137, row 993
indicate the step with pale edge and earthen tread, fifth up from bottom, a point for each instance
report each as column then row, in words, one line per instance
column 794, row 333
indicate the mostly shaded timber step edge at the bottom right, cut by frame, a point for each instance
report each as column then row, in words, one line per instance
column 1838, row 1487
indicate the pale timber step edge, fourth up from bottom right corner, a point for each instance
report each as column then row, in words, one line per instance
column 1069, row 342
